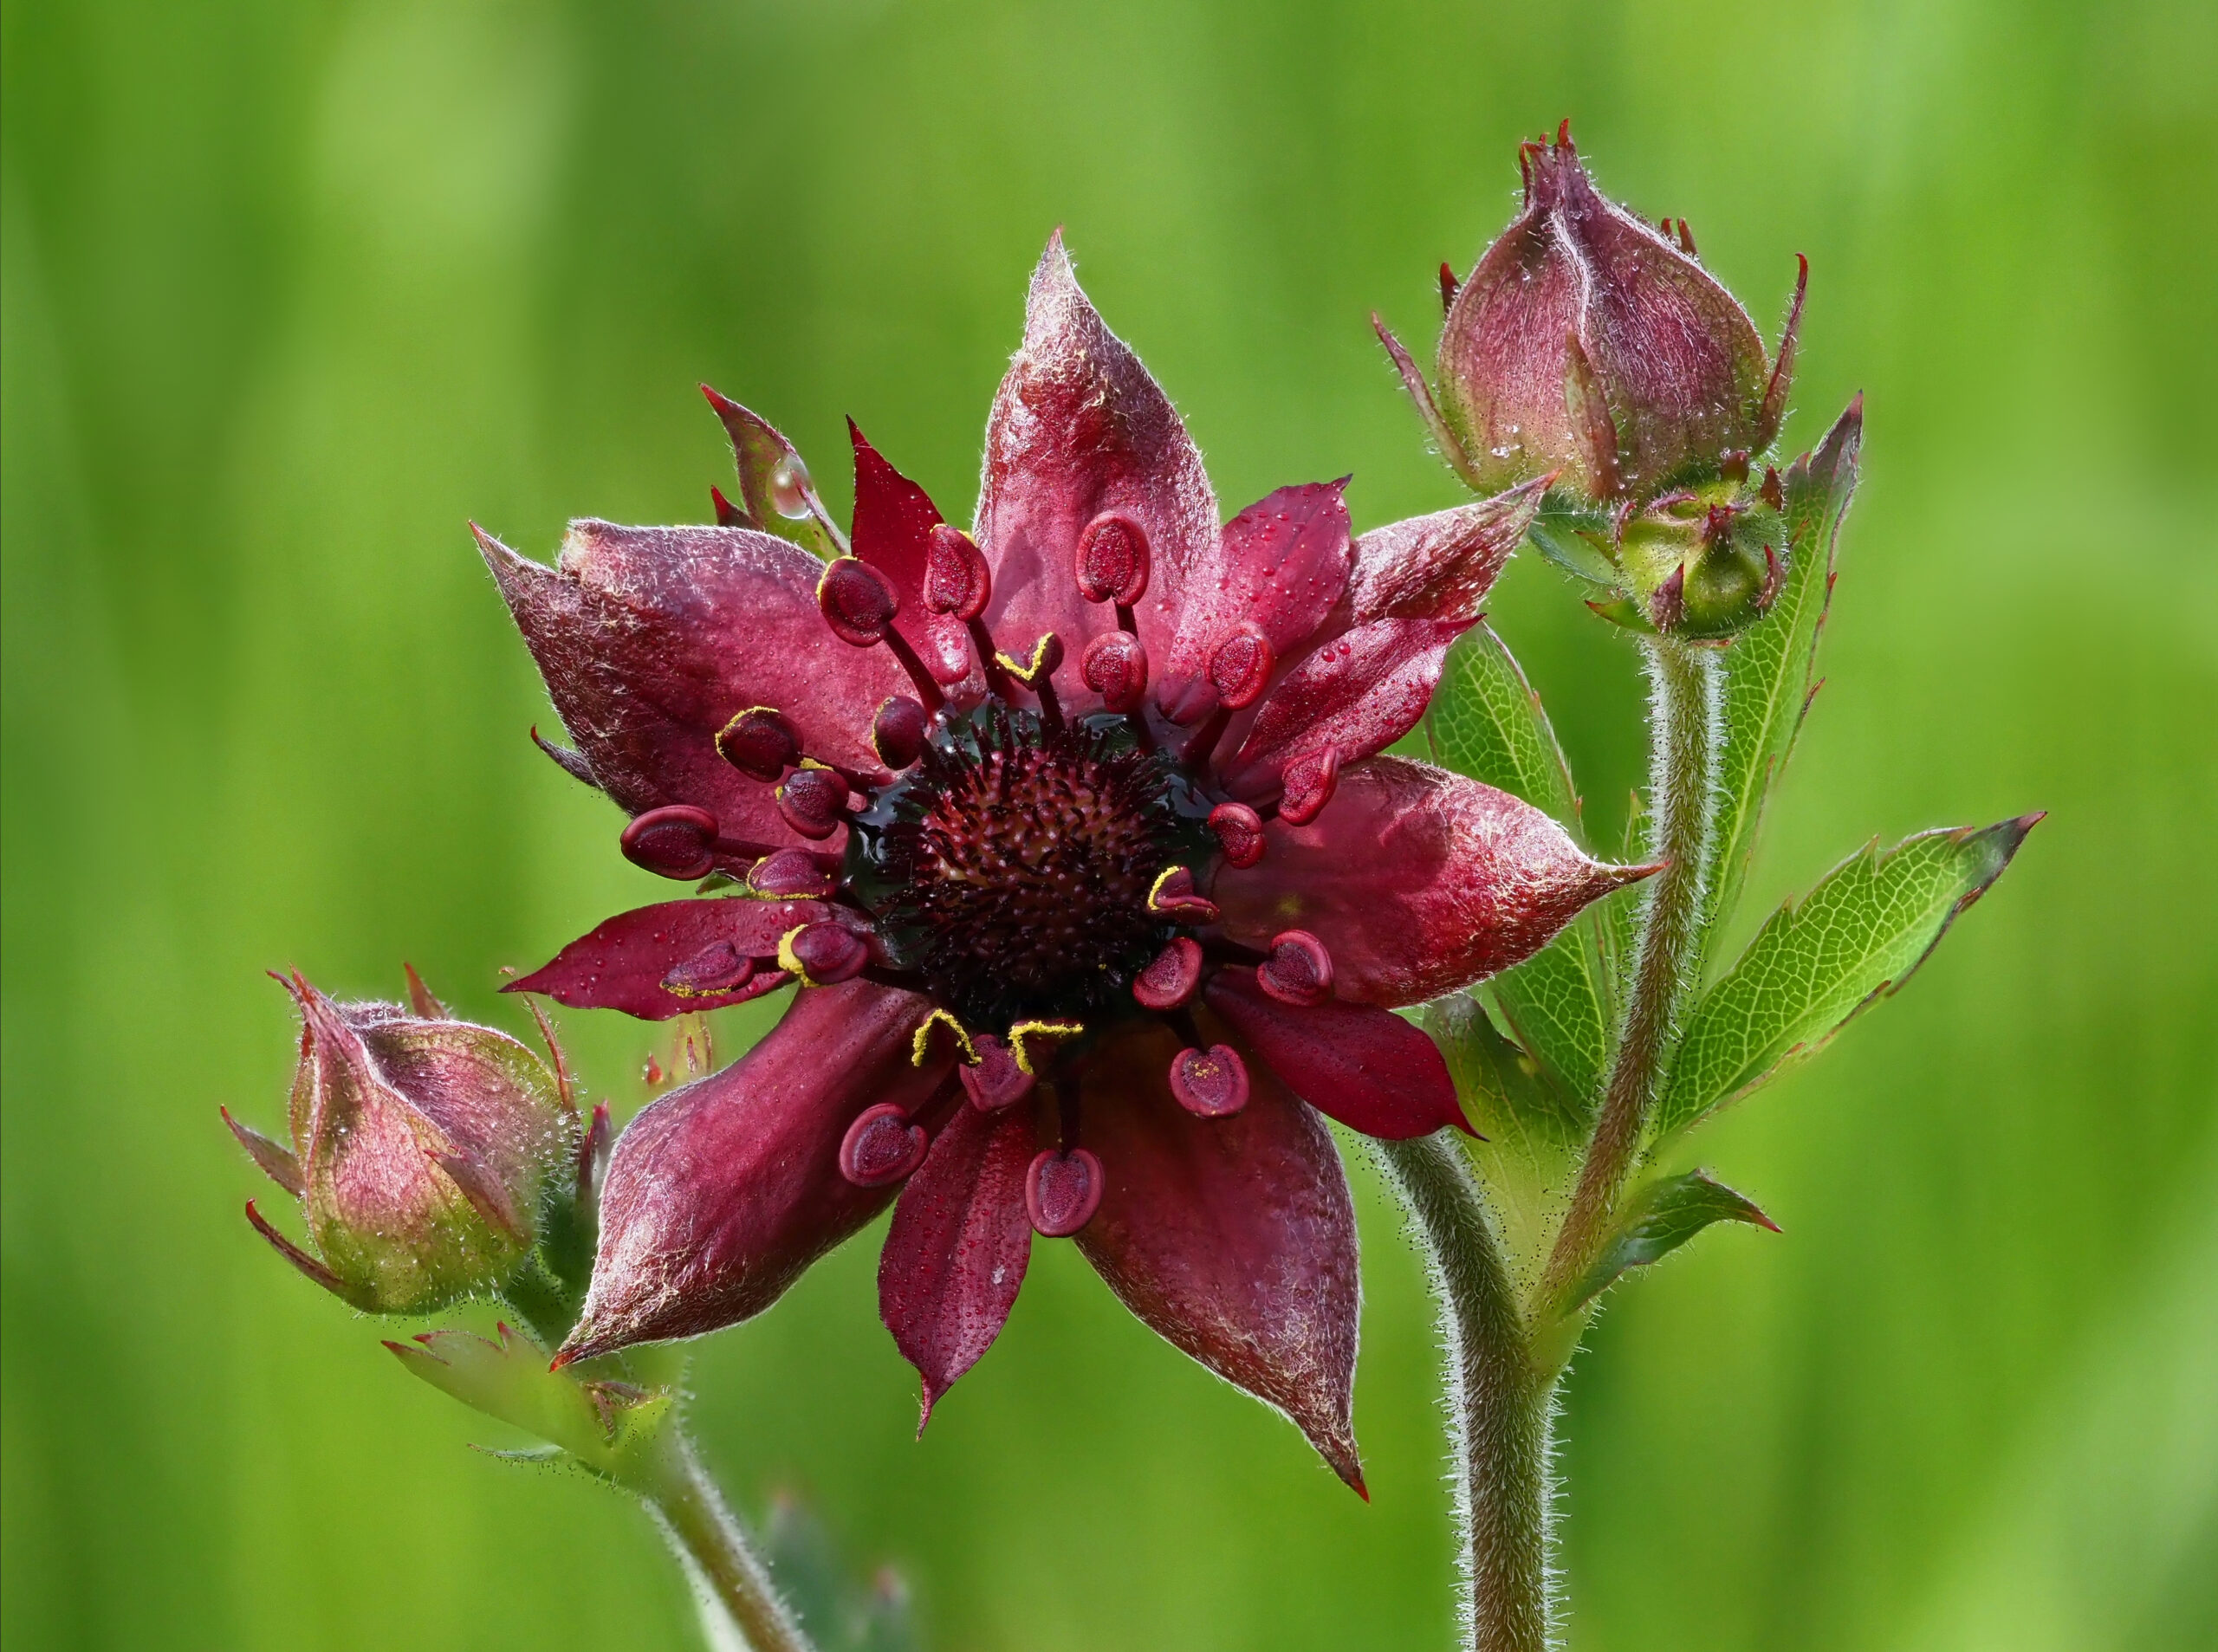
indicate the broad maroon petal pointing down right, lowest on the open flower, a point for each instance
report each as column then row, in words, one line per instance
column 1234, row 1238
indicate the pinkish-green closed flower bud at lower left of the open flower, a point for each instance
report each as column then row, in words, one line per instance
column 423, row 1150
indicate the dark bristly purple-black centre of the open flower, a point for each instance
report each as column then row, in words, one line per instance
column 1013, row 866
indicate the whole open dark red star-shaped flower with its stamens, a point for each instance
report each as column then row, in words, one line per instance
column 1077, row 833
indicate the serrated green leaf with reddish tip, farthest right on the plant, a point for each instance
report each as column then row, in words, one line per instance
column 1815, row 966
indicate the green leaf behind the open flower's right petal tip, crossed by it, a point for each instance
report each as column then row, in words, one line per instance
column 1489, row 724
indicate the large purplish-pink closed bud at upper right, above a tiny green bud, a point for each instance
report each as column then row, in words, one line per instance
column 1596, row 345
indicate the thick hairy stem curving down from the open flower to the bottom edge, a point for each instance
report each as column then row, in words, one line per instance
column 1500, row 1409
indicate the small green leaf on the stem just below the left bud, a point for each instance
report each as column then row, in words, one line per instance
column 609, row 1427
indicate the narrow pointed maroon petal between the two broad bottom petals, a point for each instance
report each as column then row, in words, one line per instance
column 959, row 1245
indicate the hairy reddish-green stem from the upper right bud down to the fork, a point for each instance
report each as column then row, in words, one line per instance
column 1682, row 784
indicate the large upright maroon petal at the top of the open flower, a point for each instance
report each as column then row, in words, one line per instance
column 1079, row 429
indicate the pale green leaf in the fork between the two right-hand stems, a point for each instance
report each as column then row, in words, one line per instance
column 1529, row 1130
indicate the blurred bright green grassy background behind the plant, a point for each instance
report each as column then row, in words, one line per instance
column 296, row 289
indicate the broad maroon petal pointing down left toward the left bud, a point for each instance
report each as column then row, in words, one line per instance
column 722, row 1194
